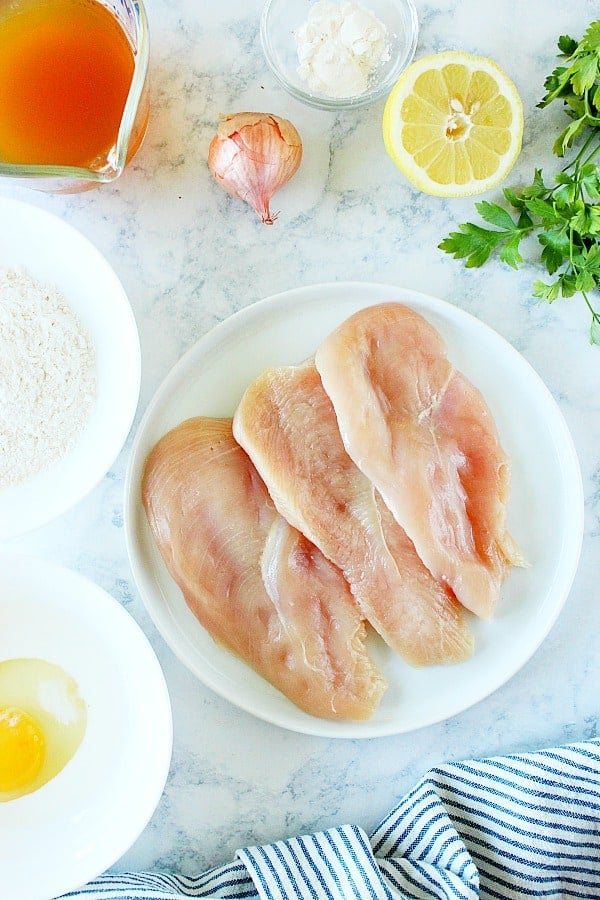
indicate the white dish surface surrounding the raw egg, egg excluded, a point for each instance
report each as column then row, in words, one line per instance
column 80, row 823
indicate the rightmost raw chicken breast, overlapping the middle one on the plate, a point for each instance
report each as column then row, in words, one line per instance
column 424, row 435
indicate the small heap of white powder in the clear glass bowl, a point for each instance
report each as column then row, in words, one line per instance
column 339, row 48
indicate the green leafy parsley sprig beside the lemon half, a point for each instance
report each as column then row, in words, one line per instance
column 564, row 213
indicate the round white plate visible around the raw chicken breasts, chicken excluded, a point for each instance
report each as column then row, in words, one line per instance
column 545, row 512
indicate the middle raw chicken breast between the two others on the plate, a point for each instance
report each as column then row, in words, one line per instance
column 286, row 423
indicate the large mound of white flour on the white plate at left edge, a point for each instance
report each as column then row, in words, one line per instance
column 47, row 377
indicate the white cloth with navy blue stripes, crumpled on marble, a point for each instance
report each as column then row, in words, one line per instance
column 506, row 827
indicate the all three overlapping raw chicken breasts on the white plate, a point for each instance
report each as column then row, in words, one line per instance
column 365, row 487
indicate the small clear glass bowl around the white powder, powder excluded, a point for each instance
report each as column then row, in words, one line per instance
column 280, row 20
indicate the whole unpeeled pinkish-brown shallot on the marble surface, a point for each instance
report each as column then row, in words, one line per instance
column 252, row 156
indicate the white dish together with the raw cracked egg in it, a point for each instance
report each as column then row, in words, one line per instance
column 75, row 666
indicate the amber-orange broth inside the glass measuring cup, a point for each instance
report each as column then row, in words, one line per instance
column 66, row 67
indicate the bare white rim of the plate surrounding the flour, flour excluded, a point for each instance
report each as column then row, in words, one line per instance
column 52, row 251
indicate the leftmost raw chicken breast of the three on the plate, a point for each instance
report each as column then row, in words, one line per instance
column 218, row 532
